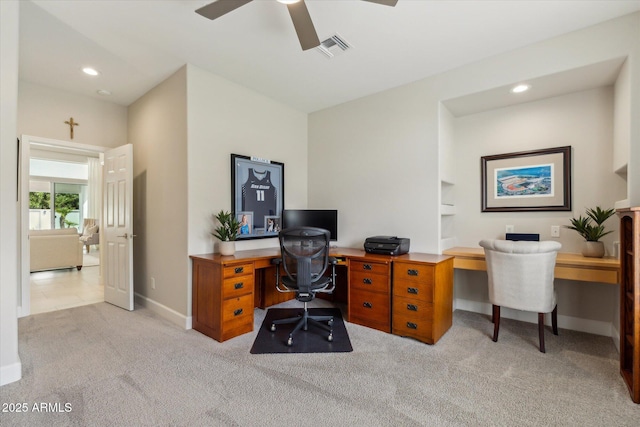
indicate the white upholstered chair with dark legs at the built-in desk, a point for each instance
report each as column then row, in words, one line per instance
column 521, row 277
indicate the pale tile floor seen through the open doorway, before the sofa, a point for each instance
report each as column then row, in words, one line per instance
column 59, row 289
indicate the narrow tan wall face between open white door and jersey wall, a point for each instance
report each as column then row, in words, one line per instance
column 158, row 132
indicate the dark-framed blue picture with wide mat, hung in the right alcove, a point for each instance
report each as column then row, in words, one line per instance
column 537, row 180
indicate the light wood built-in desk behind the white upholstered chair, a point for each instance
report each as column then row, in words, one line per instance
column 568, row 266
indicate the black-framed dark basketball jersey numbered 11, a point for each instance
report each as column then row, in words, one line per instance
column 257, row 193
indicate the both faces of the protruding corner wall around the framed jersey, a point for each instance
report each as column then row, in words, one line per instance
column 183, row 132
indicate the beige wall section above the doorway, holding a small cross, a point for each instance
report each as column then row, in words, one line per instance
column 42, row 112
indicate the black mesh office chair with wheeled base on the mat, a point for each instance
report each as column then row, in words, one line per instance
column 305, row 259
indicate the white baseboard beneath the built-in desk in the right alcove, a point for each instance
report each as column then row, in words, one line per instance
column 566, row 322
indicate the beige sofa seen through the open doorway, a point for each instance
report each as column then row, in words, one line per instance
column 53, row 249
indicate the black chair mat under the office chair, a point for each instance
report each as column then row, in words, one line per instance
column 314, row 340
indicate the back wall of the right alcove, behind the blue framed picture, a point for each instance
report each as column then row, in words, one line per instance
column 583, row 120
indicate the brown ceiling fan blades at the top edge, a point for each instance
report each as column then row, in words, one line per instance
column 297, row 9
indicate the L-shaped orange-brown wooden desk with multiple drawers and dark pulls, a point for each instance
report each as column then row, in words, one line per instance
column 227, row 288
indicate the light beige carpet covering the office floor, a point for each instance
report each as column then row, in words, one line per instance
column 119, row 368
